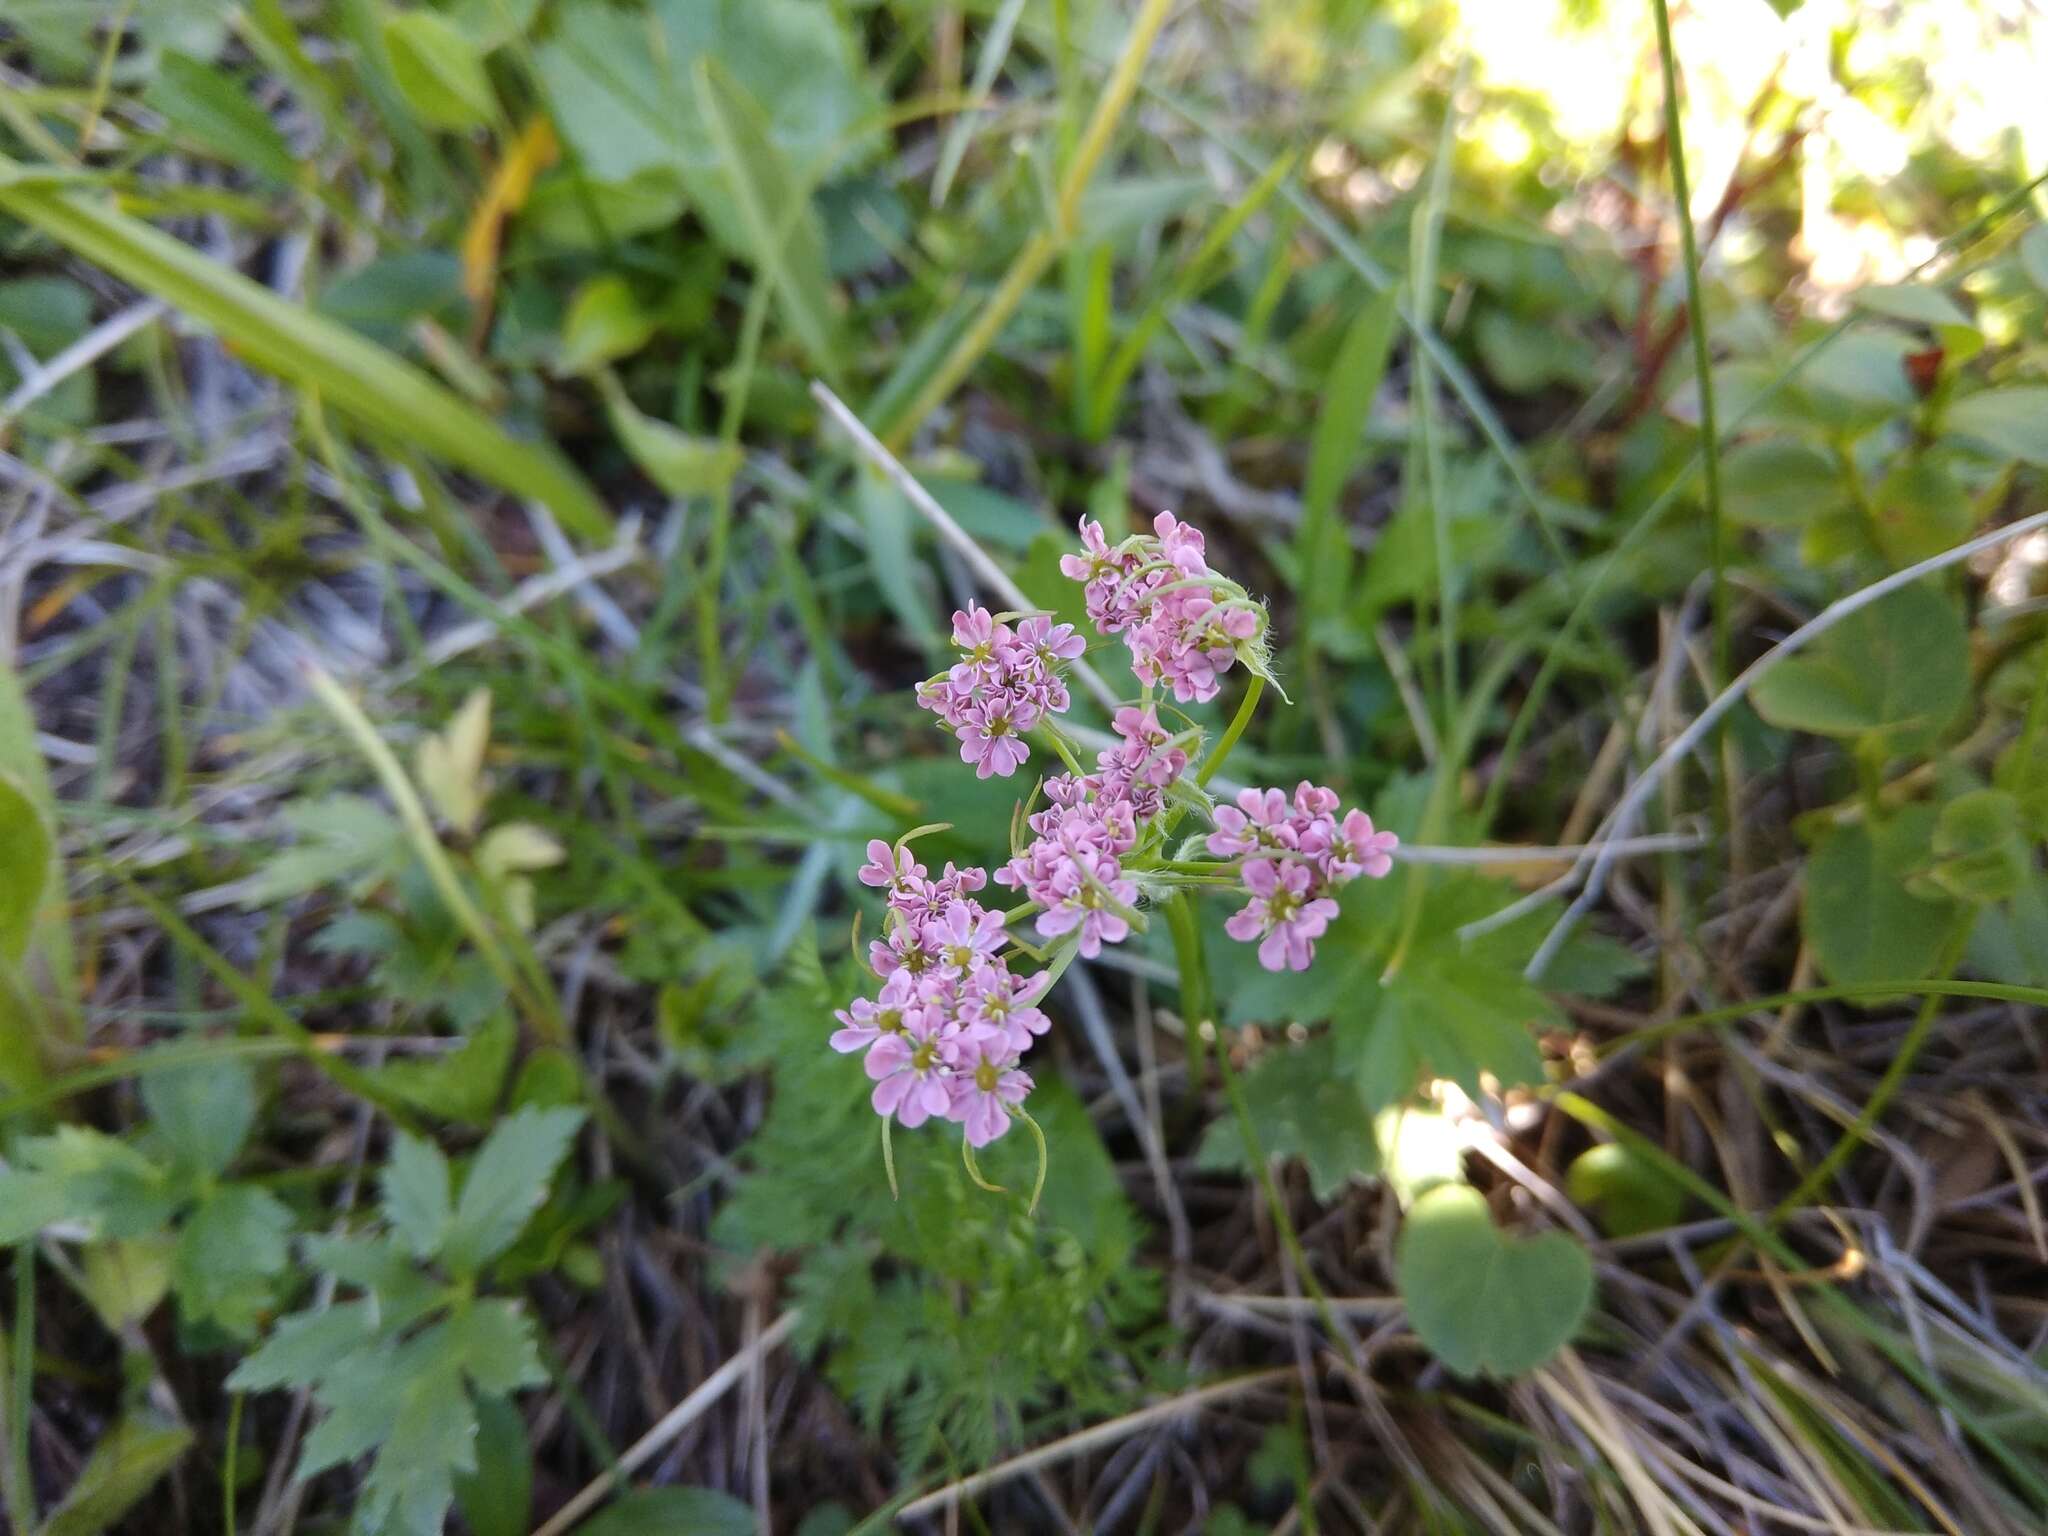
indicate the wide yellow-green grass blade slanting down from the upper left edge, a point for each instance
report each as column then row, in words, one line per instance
column 347, row 372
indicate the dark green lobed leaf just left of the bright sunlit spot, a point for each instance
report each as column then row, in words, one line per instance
column 1302, row 1107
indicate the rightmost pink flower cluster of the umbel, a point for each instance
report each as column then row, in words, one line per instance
column 1295, row 855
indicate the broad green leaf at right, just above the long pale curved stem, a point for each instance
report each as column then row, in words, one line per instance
column 1897, row 671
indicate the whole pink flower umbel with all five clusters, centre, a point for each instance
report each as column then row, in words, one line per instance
column 949, row 1027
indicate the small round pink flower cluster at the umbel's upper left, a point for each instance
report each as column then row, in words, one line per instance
column 1005, row 683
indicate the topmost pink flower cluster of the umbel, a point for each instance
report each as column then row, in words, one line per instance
column 1181, row 622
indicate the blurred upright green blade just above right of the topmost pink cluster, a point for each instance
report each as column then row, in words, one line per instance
column 1324, row 550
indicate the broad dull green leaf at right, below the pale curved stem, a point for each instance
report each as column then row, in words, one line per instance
column 1863, row 916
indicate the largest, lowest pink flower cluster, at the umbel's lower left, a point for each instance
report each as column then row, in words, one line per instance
column 945, row 1033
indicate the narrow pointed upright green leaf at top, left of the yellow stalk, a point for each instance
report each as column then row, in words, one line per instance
column 777, row 224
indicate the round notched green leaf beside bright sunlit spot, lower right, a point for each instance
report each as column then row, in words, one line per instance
column 1484, row 1302
